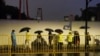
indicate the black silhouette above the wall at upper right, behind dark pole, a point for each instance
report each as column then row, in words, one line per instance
column 93, row 13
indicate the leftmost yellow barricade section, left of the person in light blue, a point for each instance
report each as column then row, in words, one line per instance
column 5, row 45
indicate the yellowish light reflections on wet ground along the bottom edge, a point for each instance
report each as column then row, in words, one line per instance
column 65, row 54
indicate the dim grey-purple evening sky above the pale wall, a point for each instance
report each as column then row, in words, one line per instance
column 54, row 9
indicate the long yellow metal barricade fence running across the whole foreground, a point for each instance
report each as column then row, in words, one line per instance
column 42, row 45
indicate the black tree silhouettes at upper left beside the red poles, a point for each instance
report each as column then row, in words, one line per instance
column 11, row 11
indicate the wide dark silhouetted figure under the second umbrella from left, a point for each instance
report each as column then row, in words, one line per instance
column 39, row 44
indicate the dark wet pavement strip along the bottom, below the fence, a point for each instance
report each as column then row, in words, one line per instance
column 64, row 54
